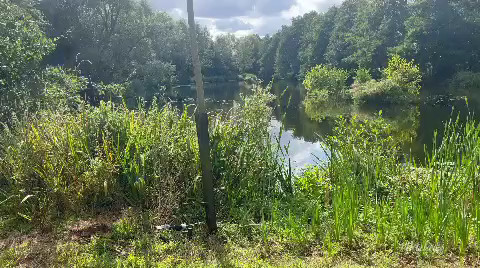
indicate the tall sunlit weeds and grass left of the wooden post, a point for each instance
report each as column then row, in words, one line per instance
column 98, row 157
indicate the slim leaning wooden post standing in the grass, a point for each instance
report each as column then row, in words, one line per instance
column 202, row 127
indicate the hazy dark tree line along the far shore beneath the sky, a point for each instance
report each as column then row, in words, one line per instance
column 128, row 42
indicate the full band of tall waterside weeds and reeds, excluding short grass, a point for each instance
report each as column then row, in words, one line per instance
column 59, row 163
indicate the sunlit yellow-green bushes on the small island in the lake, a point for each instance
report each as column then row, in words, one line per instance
column 327, row 86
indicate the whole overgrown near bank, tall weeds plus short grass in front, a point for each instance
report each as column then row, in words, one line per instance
column 367, row 204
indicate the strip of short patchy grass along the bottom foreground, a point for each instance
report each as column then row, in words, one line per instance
column 101, row 242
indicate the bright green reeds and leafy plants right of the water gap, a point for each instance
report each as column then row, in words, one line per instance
column 373, row 191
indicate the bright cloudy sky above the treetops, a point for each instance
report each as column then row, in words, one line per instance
column 242, row 17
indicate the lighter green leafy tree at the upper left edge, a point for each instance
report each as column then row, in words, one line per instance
column 23, row 45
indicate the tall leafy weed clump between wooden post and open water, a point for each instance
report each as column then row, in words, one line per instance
column 246, row 160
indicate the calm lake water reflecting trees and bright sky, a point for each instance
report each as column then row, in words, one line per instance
column 415, row 124
